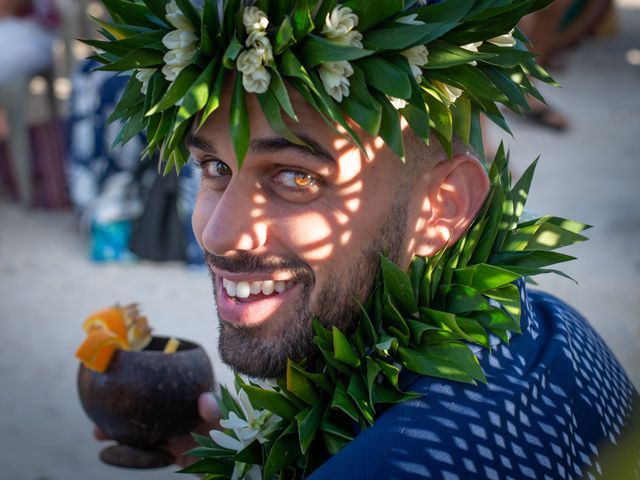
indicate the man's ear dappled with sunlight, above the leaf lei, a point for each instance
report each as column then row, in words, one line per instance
column 446, row 200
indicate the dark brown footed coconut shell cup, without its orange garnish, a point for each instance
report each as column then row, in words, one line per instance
column 144, row 399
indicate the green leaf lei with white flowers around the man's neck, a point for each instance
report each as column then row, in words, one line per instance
column 422, row 321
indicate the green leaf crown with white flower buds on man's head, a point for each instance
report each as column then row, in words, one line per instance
column 437, row 66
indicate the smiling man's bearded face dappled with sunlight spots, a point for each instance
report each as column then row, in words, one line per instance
column 294, row 234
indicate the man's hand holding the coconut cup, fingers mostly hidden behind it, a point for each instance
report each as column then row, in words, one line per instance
column 210, row 414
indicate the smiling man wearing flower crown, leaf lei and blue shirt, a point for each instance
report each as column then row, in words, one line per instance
column 362, row 256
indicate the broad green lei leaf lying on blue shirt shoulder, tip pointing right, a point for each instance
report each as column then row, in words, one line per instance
column 452, row 361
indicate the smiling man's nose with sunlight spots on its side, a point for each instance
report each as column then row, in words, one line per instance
column 237, row 221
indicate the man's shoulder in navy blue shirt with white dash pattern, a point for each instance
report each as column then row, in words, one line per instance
column 555, row 398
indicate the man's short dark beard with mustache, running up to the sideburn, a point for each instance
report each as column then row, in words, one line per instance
column 246, row 350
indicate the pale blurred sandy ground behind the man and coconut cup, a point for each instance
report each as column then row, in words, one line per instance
column 47, row 284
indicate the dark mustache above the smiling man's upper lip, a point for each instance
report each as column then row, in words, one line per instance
column 243, row 262
